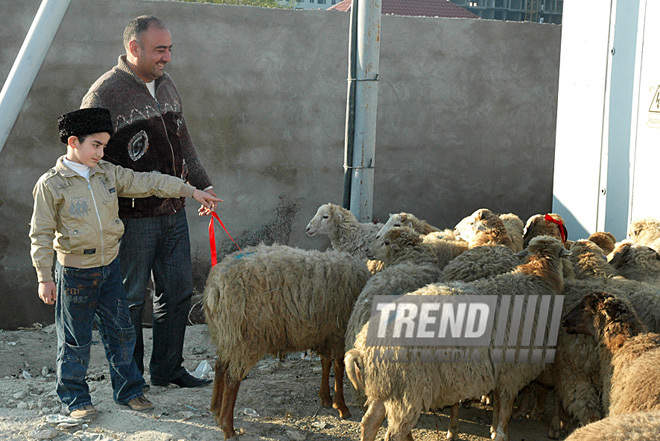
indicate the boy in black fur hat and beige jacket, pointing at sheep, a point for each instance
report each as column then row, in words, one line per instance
column 76, row 216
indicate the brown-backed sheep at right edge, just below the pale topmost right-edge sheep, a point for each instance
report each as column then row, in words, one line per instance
column 636, row 262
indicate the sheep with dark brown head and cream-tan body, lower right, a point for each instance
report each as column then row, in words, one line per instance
column 629, row 355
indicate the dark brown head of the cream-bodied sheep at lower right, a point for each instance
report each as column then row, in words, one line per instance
column 595, row 312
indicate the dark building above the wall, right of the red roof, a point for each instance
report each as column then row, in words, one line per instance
column 538, row 11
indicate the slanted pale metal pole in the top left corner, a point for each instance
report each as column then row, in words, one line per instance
column 27, row 64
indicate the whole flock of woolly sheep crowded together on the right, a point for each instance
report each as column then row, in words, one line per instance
column 595, row 300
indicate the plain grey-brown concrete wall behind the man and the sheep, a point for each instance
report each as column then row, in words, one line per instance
column 466, row 118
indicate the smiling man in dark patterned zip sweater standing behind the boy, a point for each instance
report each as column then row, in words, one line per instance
column 151, row 135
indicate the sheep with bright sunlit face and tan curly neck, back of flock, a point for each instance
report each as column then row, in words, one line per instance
column 483, row 227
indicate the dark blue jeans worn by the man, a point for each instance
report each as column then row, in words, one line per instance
column 159, row 244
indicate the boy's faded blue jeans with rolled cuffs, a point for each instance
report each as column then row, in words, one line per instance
column 85, row 296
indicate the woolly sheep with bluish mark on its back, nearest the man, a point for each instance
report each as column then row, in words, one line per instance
column 270, row 299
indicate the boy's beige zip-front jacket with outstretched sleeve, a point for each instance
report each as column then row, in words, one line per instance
column 79, row 218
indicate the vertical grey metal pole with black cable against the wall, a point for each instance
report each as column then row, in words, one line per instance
column 366, row 99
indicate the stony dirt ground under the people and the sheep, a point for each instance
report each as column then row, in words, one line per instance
column 278, row 401
